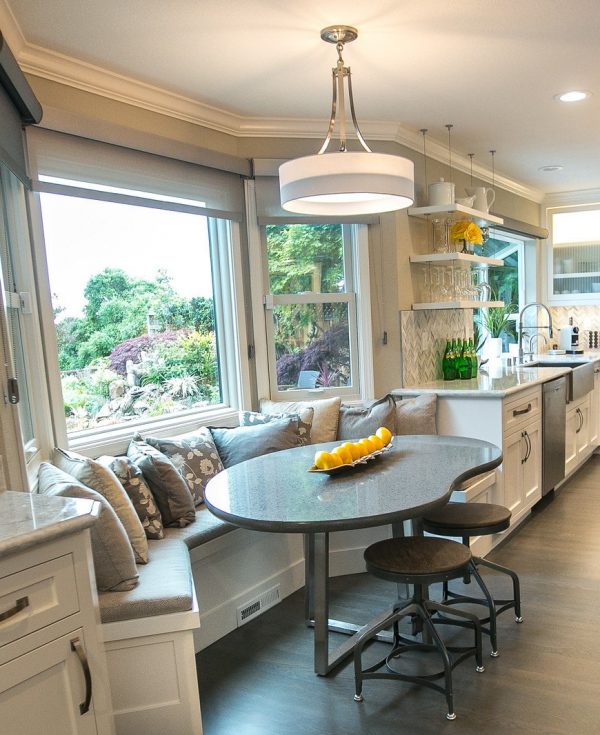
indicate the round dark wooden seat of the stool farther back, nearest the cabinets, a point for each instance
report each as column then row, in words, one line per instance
column 467, row 519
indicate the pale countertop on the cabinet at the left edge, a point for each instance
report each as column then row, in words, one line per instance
column 28, row 519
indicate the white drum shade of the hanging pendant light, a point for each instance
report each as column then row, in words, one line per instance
column 346, row 183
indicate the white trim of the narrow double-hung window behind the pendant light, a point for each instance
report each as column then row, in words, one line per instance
column 361, row 297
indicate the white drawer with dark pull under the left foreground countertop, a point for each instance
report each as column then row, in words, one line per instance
column 35, row 597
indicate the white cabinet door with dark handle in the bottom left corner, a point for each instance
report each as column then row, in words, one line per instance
column 41, row 692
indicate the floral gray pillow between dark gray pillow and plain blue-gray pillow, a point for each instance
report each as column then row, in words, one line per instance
column 195, row 457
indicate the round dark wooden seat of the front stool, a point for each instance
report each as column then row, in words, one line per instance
column 417, row 559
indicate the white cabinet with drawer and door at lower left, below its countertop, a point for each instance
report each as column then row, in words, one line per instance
column 53, row 677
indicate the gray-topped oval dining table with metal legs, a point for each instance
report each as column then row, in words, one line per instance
column 276, row 493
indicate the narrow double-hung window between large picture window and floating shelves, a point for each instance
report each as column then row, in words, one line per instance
column 311, row 308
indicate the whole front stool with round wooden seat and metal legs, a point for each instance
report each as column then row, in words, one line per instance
column 418, row 561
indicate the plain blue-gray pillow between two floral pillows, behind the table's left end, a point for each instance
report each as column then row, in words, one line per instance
column 245, row 442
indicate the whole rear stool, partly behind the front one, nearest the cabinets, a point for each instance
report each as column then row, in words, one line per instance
column 476, row 519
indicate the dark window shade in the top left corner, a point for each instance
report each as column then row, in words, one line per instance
column 18, row 107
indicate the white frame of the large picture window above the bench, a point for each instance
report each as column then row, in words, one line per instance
column 233, row 344
